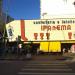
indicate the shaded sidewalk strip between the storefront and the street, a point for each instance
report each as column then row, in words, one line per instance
column 64, row 57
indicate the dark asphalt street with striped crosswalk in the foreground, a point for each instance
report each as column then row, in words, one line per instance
column 37, row 66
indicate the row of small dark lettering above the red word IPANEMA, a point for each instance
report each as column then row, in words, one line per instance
column 67, row 21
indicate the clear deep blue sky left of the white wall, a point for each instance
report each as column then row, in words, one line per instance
column 22, row 9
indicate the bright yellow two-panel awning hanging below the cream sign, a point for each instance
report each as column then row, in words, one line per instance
column 50, row 46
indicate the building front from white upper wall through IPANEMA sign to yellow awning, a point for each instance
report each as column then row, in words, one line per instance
column 53, row 32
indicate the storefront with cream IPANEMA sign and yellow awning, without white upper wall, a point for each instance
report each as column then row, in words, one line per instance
column 52, row 35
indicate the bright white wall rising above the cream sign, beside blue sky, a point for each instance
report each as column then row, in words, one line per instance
column 57, row 8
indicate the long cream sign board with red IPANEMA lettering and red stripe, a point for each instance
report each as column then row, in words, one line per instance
column 42, row 30
